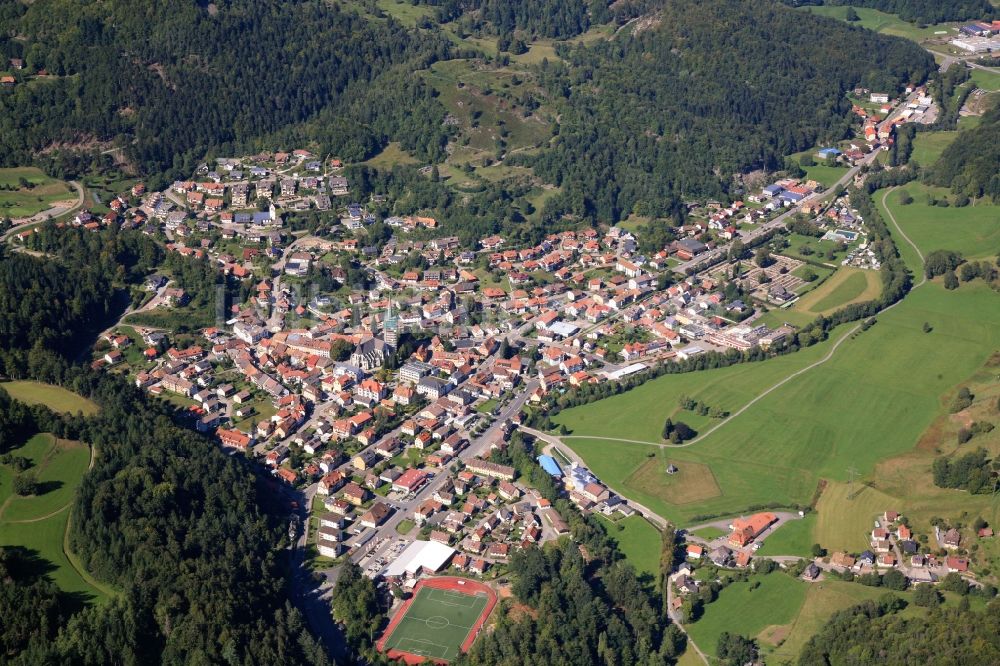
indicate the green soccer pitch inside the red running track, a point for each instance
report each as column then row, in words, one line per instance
column 437, row 623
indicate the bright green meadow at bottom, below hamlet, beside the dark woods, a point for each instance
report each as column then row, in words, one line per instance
column 747, row 610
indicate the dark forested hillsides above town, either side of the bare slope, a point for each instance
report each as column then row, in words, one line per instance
column 713, row 88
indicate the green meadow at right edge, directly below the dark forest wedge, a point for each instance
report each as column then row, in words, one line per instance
column 973, row 230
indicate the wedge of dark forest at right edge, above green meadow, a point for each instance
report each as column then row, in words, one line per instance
column 970, row 165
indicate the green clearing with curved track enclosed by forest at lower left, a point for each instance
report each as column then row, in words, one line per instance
column 39, row 523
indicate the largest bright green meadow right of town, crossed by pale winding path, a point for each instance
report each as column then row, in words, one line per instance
column 889, row 380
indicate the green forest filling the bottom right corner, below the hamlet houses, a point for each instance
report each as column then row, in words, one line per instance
column 875, row 633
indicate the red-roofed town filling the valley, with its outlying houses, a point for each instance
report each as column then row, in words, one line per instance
column 380, row 384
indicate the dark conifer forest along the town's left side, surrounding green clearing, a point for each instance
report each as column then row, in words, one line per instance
column 183, row 532
